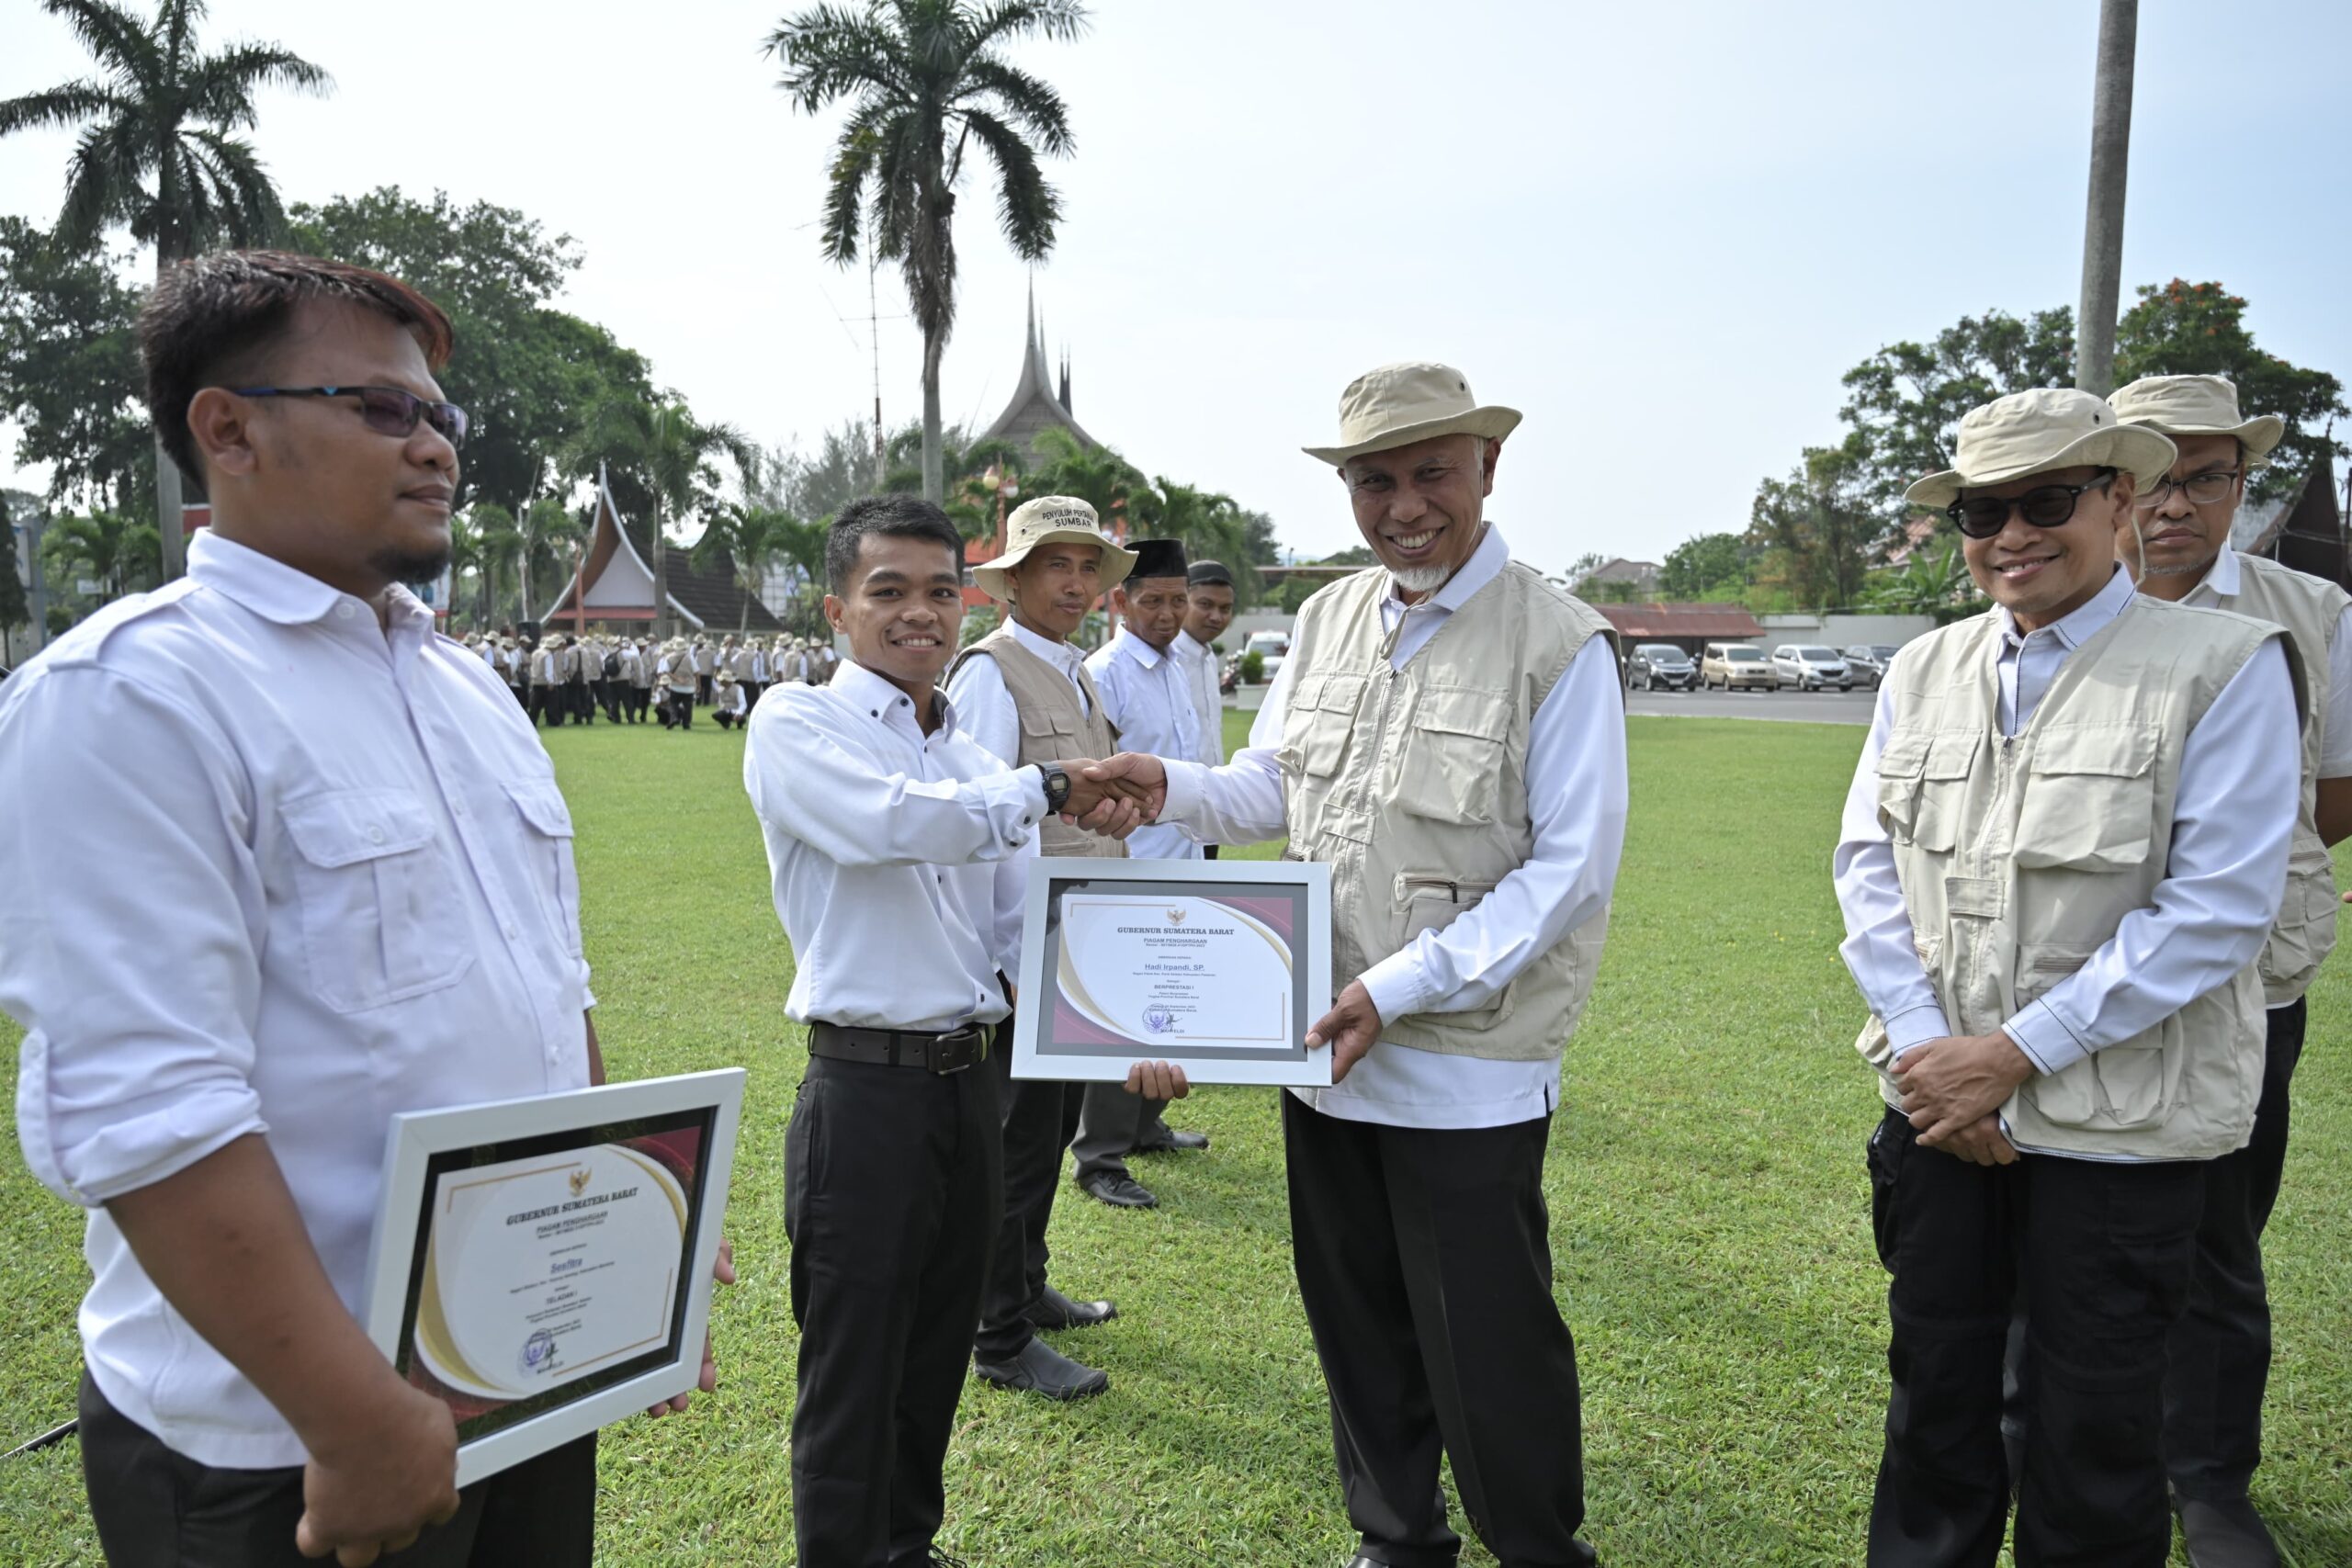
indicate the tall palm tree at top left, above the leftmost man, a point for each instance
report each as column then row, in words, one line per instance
column 161, row 152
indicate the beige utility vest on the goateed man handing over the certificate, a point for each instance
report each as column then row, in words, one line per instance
column 1412, row 789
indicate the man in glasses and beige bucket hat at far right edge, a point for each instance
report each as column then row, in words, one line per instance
column 2179, row 549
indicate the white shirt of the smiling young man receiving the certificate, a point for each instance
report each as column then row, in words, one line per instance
column 900, row 859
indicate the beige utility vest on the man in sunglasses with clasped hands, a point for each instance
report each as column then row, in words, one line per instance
column 2022, row 855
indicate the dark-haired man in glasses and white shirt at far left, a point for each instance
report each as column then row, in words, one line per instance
column 286, row 864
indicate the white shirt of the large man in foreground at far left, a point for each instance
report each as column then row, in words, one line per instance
column 272, row 871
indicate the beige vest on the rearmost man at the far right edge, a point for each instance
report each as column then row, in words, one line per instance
column 2311, row 610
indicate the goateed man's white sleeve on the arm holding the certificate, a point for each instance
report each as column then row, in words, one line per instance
column 1577, row 798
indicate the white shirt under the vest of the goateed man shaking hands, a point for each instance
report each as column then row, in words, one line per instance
column 1577, row 803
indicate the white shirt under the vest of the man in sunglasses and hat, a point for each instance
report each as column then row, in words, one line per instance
column 2233, row 819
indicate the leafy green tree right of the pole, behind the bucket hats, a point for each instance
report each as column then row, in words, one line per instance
column 2200, row 330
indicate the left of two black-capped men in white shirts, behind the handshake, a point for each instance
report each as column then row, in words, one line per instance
column 1149, row 702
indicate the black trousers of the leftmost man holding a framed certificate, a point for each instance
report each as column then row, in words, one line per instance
column 156, row 1508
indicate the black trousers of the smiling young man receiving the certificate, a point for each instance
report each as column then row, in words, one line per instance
column 895, row 1186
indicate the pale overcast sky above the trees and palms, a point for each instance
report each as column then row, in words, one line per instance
column 1662, row 229
